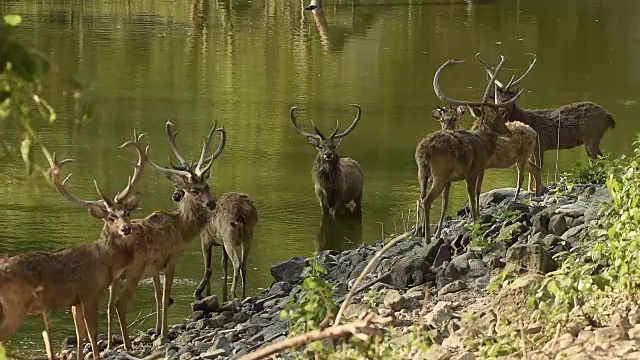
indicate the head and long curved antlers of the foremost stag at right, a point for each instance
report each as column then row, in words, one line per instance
column 486, row 113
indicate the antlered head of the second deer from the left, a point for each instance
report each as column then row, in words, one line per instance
column 190, row 180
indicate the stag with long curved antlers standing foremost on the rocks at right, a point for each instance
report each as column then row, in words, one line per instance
column 455, row 155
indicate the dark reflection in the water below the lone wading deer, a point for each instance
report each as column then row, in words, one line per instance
column 341, row 231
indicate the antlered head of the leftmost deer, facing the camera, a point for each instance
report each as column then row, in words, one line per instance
column 114, row 212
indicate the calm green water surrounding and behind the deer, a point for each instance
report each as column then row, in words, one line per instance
column 246, row 63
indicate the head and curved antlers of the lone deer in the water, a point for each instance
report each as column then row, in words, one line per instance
column 326, row 146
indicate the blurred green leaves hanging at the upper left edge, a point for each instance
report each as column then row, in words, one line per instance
column 21, row 96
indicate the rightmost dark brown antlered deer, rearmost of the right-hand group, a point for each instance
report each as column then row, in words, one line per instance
column 571, row 125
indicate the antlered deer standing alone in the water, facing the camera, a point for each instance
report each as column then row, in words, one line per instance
column 337, row 181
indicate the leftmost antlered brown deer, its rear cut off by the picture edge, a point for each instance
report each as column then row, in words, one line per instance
column 75, row 277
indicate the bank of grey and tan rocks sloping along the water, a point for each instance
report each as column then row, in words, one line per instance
column 441, row 287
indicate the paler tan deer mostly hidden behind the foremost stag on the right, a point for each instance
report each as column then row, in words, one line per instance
column 513, row 149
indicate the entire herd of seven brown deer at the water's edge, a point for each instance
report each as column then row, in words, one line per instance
column 503, row 135
